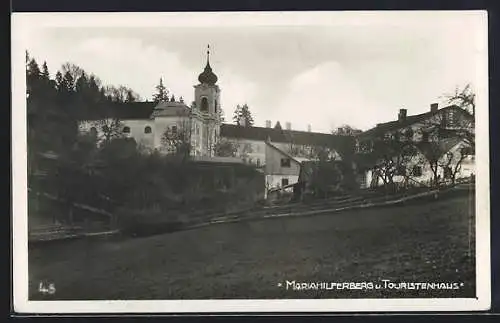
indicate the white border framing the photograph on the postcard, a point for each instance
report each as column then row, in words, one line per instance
column 21, row 24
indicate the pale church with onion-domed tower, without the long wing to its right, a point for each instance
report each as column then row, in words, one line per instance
column 158, row 126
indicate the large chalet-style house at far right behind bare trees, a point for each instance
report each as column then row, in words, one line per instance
column 417, row 150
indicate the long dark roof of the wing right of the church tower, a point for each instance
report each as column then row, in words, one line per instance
column 285, row 136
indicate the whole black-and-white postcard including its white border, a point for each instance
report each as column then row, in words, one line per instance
column 250, row 162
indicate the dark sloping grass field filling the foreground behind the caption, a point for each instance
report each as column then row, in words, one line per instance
column 411, row 243
